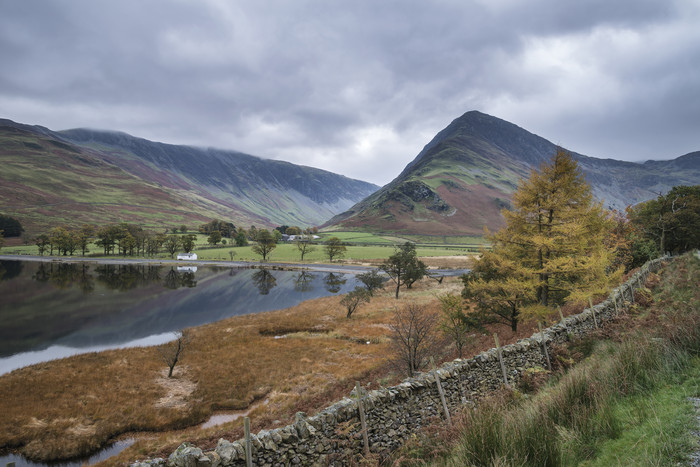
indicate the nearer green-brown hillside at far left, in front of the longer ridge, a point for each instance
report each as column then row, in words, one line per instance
column 46, row 184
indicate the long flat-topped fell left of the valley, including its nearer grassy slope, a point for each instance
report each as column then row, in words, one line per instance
column 81, row 176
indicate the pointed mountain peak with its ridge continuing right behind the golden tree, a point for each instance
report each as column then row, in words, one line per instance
column 462, row 179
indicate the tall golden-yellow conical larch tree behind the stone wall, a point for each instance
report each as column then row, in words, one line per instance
column 552, row 247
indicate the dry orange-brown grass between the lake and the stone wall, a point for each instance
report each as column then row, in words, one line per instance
column 71, row 407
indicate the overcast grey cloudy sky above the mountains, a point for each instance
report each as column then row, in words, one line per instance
column 357, row 87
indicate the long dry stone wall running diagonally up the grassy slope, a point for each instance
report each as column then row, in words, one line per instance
column 333, row 436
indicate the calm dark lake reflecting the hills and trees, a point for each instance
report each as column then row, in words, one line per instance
column 53, row 310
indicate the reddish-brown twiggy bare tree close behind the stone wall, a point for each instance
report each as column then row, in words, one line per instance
column 414, row 337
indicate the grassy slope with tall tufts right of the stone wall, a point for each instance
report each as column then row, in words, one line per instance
column 626, row 404
